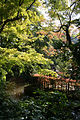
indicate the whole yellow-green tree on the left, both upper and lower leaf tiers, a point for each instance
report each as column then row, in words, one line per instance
column 18, row 57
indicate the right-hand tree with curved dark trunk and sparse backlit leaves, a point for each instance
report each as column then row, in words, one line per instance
column 65, row 12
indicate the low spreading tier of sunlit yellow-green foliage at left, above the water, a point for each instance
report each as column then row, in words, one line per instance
column 14, row 62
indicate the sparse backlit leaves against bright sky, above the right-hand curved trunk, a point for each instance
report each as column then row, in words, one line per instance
column 63, row 9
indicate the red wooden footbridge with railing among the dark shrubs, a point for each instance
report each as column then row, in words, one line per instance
column 56, row 83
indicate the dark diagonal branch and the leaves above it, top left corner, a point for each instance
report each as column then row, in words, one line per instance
column 14, row 11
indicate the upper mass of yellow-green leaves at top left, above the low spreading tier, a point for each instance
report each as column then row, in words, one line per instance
column 17, row 21
